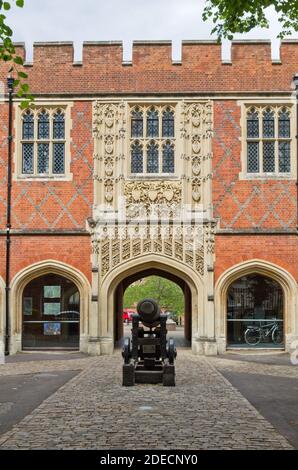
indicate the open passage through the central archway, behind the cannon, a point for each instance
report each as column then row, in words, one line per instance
column 172, row 293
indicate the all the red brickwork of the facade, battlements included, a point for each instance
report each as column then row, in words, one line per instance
column 238, row 204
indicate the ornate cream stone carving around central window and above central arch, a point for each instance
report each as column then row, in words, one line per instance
column 114, row 245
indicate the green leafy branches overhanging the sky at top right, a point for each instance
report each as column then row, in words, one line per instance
column 240, row 16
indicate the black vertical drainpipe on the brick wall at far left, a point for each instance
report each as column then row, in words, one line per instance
column 10, row 83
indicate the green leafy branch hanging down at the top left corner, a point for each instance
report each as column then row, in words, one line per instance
column 8, row 53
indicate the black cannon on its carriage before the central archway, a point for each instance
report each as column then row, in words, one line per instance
column 149, row 357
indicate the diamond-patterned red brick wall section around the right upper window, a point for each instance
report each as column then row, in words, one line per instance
column 245, row 204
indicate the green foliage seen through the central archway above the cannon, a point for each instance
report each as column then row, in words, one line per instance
column 168, row 294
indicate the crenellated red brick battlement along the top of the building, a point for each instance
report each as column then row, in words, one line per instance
column 152, row 70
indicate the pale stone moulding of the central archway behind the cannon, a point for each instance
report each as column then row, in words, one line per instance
column 135, row 269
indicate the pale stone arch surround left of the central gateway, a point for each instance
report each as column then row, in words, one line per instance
column 23, row 277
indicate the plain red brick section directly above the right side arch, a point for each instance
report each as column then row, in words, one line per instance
column 279, row 249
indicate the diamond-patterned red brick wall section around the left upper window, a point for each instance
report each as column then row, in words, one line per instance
column 53, row 205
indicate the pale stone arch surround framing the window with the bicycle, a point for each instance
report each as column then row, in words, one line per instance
column 264, row 268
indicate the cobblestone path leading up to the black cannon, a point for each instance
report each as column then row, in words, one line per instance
column 93, row 411
